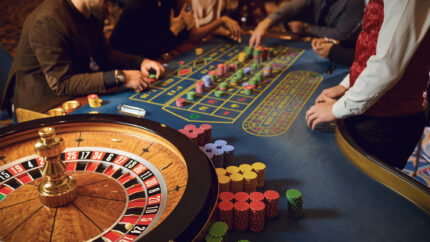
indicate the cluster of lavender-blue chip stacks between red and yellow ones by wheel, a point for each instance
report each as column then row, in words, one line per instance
column 221, row 153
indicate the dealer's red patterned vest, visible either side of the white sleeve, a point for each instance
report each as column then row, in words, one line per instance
column 408, row 95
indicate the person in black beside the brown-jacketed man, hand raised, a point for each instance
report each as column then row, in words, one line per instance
column 150, row 27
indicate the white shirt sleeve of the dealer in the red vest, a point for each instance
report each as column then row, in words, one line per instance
column 405, row 25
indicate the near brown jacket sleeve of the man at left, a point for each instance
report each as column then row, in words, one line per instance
column 50, row 46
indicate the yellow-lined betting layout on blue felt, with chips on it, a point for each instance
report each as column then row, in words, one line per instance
column 234, row 90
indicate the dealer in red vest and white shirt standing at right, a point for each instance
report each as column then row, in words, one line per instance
column 383, row 99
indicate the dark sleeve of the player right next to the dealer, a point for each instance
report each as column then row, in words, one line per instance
column 348, row 22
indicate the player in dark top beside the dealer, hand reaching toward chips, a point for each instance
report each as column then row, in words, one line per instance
column 336, row 19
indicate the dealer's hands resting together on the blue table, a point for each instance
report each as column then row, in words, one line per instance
column 321, row 112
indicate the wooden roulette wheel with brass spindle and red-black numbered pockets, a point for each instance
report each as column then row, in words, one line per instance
column 115, row 178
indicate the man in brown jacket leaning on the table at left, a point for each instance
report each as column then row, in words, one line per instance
column 52, row 61
